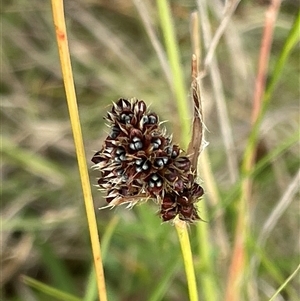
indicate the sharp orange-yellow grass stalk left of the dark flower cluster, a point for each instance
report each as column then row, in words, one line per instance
column 62, row 41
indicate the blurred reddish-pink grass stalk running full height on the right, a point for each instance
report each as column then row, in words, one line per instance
column 238, row 266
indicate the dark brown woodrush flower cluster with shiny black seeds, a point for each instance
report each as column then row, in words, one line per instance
column 138, row 160
